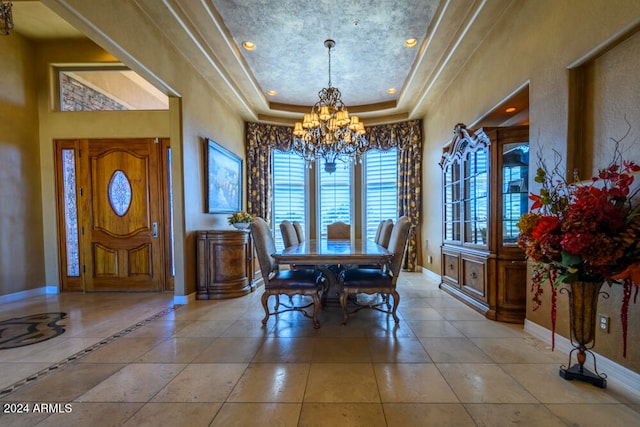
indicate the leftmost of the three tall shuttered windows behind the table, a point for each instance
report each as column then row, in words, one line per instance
column 289, row 198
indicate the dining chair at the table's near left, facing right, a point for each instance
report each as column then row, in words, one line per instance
column 284, row 282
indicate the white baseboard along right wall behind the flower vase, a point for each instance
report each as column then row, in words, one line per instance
column 618, row 377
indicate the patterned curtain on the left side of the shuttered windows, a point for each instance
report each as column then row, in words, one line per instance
column 261, row 139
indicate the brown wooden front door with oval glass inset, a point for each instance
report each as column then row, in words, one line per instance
column 120, row 214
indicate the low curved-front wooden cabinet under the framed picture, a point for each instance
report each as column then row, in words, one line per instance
column 225, row 264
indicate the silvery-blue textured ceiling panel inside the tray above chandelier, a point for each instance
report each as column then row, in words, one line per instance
column 290, row 58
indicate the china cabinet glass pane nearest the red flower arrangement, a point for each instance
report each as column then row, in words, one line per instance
column 515, row 176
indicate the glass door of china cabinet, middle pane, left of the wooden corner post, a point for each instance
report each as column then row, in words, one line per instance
column 476, row 197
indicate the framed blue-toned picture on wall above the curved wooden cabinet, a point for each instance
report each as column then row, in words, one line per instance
column 223, row 179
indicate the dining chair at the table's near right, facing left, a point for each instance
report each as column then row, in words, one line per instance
column 377, row 281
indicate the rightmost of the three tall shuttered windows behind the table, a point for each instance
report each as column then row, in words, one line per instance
column 380, row 184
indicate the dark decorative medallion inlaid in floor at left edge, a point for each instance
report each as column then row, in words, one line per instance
column 21, row 331
